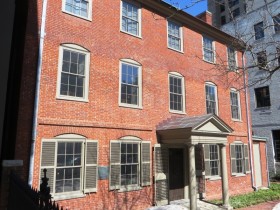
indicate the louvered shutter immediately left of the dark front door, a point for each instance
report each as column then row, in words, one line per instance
column 161, row 174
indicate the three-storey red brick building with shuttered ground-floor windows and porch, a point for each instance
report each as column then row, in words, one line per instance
column 132, row 108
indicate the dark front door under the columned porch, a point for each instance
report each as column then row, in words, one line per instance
column 176, row 174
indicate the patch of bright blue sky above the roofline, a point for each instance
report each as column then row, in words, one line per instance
column 192, row 7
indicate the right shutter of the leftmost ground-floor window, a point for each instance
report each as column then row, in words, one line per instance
column 91, row 155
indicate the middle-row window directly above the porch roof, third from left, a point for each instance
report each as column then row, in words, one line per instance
column 176, row 92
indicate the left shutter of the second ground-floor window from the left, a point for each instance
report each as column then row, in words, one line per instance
column 115, row 165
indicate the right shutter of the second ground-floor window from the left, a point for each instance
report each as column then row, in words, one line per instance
column 145, row 163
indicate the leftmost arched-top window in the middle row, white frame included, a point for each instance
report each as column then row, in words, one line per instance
column 73, row 73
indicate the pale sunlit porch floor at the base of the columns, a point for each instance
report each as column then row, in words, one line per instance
column 184, row 204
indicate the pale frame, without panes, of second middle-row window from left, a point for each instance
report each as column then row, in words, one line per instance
column 139, row 66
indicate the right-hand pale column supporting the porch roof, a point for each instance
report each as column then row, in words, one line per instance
column 226, row 204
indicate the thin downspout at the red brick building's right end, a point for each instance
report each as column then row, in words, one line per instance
column 248, row 124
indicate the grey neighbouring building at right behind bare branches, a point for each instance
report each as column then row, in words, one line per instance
column 259, row 28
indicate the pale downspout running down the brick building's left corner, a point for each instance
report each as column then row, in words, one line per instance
column 37, row 92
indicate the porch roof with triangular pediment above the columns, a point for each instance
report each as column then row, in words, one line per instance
column 198, row 129
